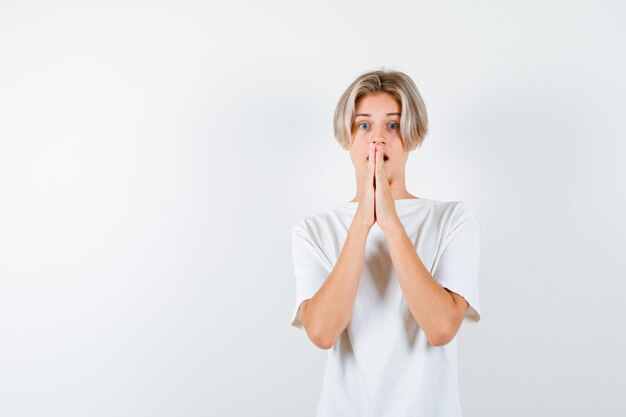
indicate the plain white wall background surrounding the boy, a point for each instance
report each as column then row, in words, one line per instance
column 155, row 155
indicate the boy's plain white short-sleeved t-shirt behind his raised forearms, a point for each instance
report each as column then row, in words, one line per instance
column 382, row 364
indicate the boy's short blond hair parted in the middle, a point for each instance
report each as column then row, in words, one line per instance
column 413, row 122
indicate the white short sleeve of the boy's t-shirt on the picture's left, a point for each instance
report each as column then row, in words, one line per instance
column 311, row 268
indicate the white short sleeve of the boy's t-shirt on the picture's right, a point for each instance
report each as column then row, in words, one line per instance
column 459, row 263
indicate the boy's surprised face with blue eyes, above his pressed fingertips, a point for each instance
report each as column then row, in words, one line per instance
column 377, row 120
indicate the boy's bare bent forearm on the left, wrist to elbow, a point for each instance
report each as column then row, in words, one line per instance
column 327, row 313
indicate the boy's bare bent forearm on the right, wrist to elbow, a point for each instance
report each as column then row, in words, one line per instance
column 430, row 304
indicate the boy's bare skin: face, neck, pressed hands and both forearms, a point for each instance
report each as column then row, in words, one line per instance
column 437, row 310
